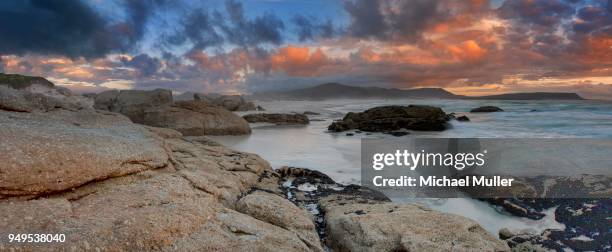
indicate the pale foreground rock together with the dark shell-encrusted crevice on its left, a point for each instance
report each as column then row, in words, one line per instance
column 354, row 218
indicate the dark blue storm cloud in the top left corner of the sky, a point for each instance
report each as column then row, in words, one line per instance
column 69, row 28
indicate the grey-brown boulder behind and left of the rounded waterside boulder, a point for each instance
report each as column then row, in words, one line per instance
column 132, row 103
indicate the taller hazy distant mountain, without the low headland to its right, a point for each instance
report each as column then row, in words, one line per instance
column 339, row 91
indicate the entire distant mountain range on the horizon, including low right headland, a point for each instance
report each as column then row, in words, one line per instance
column 340, row 91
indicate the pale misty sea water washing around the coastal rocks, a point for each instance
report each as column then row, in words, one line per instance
column 338, row 155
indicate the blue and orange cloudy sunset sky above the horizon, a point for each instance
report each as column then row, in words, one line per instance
column 470, row 47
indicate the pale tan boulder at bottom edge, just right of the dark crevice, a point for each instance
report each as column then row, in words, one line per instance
column 404, row 227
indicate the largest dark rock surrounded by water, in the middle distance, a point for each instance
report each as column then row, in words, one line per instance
column 393, row 118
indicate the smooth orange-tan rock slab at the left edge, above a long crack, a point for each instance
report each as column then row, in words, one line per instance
column 55, row 151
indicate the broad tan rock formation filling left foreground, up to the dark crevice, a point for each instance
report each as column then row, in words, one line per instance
column 108, row 184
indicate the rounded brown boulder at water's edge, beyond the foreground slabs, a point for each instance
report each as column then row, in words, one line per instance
column 194, row 118
